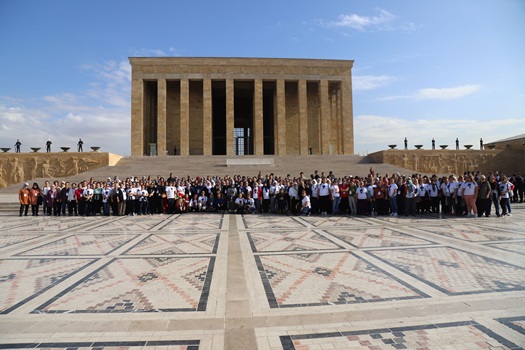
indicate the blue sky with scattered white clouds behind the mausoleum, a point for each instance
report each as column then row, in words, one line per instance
column 422, row 69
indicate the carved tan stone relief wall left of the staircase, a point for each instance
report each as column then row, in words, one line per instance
column 19, row 167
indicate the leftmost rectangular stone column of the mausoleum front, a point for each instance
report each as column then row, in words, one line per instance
column 137, row 117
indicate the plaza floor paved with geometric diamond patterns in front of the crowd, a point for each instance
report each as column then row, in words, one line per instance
column 211, row 281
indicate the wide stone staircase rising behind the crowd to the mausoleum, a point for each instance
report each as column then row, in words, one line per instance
column 217, row 165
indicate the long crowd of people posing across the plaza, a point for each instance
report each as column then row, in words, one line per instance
column 472, row 194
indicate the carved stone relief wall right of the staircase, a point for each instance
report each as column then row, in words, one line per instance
column 453, row 161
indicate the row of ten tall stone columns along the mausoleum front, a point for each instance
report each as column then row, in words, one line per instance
column 343, row 106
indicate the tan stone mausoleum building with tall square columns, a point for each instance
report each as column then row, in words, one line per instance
column 241, row 106
